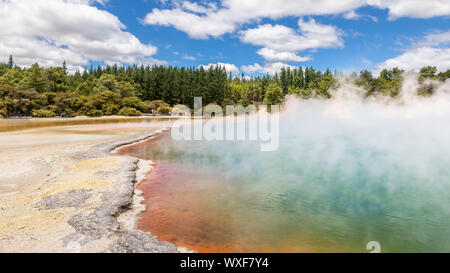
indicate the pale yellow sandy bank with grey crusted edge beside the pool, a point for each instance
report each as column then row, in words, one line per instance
column 61, row 190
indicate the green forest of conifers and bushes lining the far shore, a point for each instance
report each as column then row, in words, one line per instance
column 136, row 90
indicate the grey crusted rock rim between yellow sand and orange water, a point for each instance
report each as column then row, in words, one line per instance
column 116, row 218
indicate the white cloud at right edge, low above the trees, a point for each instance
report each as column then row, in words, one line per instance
column 432, row 49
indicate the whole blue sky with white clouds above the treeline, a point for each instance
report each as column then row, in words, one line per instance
column 253, row 37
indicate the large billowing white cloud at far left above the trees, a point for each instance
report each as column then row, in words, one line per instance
column 50, row 31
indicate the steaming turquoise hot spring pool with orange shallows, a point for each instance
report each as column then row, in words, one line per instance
column 335, row 184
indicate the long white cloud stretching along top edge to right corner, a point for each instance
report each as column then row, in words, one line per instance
column 202, row 21
